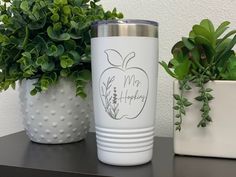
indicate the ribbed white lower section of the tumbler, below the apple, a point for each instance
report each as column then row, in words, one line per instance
column 125, row 147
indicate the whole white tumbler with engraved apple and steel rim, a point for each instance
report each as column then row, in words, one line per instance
column 124, row 72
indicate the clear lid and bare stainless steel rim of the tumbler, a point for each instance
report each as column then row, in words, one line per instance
column 140, row 28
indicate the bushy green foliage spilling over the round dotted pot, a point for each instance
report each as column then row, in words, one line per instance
column 46, row 40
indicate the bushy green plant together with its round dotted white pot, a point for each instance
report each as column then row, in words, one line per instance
column 45, row 44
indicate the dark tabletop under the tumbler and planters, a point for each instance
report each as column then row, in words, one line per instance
column 20, row 157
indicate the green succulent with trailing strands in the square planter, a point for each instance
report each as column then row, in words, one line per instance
column 206, row 54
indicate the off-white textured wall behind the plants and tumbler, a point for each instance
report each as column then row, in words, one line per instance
column 175, row 19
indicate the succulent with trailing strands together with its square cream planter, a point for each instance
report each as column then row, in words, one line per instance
column 204, row 66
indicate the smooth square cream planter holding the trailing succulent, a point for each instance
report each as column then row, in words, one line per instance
column 217, row 139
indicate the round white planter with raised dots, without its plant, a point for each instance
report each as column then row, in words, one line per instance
column 56, row 116
